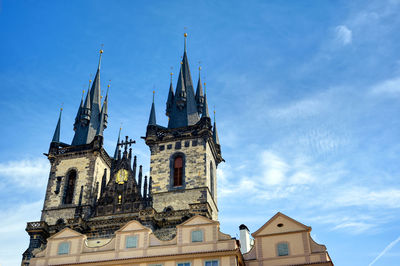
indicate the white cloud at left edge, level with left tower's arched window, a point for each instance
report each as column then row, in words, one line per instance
column 26, row 173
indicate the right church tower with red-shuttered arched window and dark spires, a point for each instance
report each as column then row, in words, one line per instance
column 184, row 155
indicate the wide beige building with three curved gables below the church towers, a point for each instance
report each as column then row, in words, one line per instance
column 198, row 242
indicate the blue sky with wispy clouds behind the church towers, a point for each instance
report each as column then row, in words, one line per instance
column 307, row 99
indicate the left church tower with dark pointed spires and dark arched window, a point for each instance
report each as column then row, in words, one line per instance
column 77, row 169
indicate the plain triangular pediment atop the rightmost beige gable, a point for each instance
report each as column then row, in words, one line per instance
column 279, row 224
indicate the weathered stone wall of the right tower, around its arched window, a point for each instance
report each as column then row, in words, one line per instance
column 197, row 158
